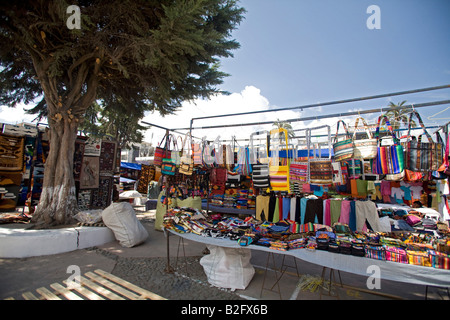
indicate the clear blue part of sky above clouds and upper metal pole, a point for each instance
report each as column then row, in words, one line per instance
column 303, row 51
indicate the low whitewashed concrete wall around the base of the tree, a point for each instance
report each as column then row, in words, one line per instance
column 20, row 243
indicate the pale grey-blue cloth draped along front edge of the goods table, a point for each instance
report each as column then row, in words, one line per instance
column 388, row 270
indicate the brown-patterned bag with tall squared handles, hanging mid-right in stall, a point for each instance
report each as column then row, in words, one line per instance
column 320, row 169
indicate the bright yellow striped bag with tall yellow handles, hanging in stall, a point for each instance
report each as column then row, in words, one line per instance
column 278, row 170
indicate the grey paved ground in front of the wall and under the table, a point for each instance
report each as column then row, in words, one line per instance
column 146, row 266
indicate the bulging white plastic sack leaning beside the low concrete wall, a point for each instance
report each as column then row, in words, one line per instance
column 121, row 219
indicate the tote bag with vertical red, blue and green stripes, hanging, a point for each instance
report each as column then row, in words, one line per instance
column 389, row 159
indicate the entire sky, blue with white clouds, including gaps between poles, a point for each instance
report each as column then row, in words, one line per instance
column 298, row 52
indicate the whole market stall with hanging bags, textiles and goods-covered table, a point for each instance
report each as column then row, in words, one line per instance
column 363, row 196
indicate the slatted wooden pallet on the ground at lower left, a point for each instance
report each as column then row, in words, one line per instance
column 97, row 285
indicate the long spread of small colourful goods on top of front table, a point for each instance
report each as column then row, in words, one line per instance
column 403, row 247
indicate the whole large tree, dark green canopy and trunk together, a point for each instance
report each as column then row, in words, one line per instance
column 150, row 54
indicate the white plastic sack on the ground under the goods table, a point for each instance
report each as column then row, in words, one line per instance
column 228, row 267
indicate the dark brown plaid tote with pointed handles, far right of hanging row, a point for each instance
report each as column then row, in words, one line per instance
column 421, row 156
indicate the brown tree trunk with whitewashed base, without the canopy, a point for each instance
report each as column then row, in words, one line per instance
column 58, row 203
